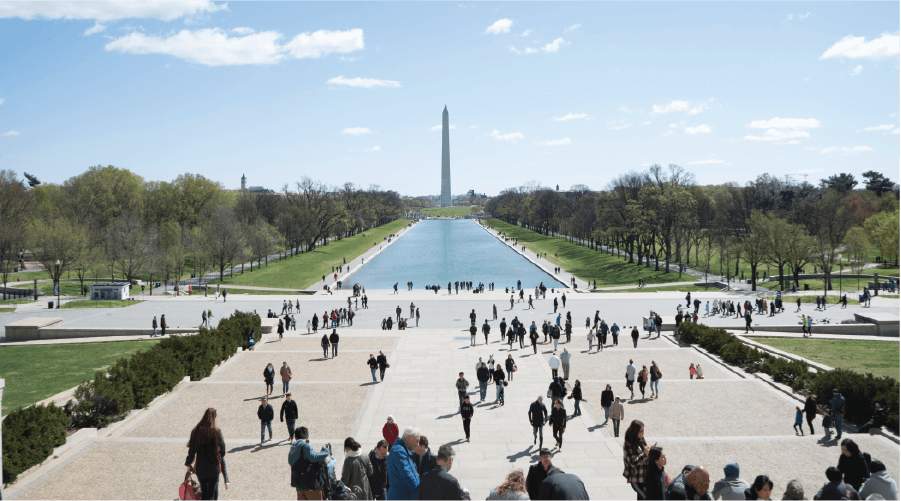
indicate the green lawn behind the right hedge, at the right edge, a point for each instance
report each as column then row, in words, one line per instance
column 881, row 358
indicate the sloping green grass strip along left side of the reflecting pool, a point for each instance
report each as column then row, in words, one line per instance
column 303, row 270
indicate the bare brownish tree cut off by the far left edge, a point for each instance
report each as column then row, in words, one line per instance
column 16, row 207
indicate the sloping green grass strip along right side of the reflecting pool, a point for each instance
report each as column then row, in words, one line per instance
column 584, row 263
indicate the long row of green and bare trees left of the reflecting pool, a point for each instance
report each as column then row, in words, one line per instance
column 111, row 222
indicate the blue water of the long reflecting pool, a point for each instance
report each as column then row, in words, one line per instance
column 435, row 252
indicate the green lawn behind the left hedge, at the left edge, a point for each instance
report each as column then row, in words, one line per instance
column 36, row 372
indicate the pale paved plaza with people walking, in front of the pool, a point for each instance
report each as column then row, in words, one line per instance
column 727, row 417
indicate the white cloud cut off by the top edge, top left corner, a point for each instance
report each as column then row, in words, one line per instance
column 106, row 10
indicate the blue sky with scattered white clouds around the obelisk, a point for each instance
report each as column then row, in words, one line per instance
column 559, row 93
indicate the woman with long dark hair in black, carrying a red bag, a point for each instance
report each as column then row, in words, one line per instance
column 205, row 451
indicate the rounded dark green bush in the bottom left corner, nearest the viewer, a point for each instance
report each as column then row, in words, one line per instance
column 29, row 437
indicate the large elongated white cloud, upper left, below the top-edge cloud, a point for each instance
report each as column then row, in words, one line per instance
column 214, row 46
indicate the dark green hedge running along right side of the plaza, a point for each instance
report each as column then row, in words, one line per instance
column 861, row 391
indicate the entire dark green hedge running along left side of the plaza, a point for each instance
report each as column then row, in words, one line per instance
column 31, row 434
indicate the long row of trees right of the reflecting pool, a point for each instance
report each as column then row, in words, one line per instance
column 662, row 214
